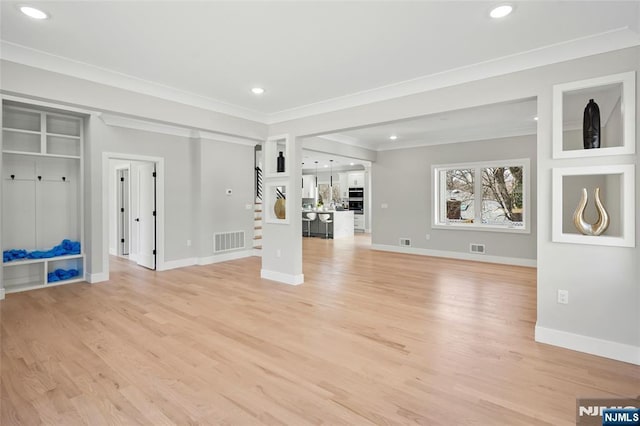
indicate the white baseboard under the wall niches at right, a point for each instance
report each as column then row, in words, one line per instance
column 590, row 345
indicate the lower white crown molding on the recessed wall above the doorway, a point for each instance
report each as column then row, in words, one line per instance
column 169, row 129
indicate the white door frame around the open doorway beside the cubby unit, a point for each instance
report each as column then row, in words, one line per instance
column 159, row 161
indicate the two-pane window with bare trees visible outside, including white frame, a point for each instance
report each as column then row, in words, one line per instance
column 491, row 196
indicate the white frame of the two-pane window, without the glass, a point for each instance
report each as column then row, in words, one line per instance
column 439, row 199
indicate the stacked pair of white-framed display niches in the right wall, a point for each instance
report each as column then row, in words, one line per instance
column 615, row 96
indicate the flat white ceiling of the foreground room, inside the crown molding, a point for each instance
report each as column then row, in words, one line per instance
column 309, row 56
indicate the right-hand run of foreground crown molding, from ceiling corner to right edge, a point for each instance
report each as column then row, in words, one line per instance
column 616, row 39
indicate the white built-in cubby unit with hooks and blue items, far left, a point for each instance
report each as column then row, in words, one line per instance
column 42, row 193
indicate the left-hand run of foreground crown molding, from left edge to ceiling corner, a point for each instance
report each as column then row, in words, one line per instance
column 38, row 59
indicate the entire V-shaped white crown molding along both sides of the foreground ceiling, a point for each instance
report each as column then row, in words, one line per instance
column 595, row 44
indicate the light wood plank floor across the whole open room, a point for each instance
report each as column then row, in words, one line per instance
column 370, row 338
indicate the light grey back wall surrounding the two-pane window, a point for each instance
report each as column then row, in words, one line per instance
column 403, row 180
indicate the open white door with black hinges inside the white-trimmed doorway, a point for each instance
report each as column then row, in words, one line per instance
column 146, row 219
